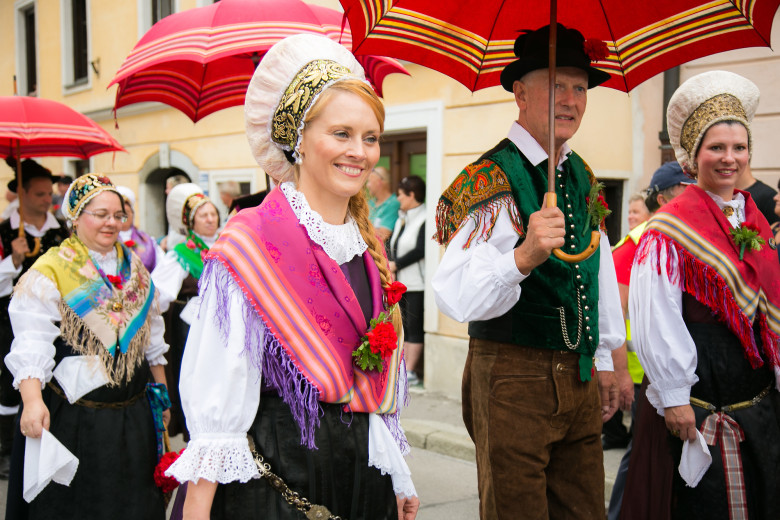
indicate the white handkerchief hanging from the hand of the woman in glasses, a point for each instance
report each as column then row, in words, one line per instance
column 46, row 459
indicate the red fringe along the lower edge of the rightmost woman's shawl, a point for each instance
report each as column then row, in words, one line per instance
column 704, row 283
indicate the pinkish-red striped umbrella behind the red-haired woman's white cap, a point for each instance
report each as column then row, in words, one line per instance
column 200, row 61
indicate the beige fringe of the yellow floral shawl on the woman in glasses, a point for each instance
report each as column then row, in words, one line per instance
column 120, row 368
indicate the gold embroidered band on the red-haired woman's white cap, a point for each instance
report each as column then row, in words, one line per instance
column 299, row 96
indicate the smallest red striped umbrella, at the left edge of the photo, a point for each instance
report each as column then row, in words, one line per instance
column 42, row 127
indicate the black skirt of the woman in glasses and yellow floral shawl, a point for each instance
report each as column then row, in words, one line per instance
column 117, row 452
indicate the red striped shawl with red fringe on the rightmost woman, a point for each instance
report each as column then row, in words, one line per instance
column 739, row 292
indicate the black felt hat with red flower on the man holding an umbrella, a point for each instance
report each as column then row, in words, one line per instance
column 532, row 50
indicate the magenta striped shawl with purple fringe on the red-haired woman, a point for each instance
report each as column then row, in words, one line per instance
column 312, row 318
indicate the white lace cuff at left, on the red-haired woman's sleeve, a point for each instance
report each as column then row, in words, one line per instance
column 216, row 459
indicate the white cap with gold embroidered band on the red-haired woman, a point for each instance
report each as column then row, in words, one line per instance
column 285, row 85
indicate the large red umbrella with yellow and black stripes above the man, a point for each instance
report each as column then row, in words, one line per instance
column 472, row 40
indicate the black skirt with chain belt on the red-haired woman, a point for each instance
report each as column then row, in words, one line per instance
column 336, row 474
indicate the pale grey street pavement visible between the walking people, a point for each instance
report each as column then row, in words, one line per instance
column 442, row 459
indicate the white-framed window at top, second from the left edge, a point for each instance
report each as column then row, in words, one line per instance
column 75, row 25
